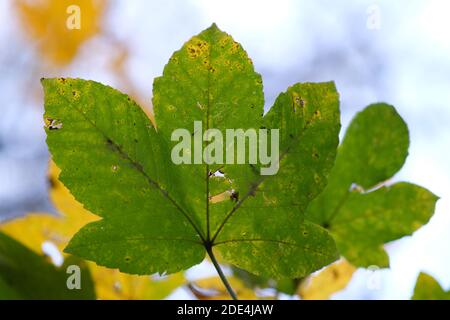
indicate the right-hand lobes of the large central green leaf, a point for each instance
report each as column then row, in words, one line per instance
column 261, row 223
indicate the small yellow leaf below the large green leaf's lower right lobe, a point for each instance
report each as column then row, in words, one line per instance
column 327, row 282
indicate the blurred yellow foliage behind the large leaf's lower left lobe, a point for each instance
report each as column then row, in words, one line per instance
column 35, row 229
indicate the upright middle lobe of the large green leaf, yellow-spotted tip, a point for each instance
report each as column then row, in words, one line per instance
column 210, row 79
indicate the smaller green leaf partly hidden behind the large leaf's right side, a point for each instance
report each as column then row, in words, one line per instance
column 358, row 208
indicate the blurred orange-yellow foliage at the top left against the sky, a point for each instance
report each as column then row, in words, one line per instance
column 45, row 21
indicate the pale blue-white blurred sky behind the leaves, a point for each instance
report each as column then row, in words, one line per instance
column 402, row 58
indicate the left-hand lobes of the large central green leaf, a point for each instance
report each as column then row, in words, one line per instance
column 114, row 162
